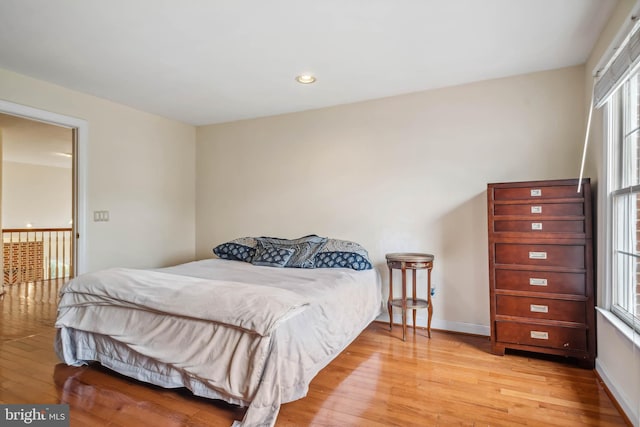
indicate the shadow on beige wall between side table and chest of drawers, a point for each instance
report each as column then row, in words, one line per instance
column 462, row 296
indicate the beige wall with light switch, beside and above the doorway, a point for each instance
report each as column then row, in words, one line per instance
column 139, row 168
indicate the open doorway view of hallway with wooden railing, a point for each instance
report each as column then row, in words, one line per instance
column 37, row 200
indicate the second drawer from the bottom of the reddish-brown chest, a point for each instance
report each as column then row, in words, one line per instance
column 541, row 308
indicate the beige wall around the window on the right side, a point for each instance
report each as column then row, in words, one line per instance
column 618, row 361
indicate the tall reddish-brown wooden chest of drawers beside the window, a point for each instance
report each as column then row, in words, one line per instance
column 541, row 268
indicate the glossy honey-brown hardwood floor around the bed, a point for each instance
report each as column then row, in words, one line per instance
column 379, row 380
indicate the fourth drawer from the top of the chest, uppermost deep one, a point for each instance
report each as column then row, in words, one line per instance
column 572, row 256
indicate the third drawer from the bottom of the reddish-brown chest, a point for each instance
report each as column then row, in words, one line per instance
column 541, row 281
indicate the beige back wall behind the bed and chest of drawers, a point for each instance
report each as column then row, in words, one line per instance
column 405, row 173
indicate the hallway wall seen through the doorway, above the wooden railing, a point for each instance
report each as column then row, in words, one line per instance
column 35, row 194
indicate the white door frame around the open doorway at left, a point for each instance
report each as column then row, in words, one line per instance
column 82, row 128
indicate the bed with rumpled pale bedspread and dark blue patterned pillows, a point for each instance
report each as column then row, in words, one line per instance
column 248, row 333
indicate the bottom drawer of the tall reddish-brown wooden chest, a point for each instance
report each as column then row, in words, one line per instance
column 541, row 335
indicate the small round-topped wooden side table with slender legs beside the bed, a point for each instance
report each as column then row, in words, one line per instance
column 414, row 262
